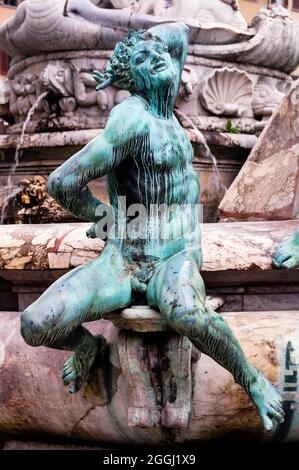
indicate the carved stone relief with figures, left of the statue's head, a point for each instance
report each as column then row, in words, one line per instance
column 72, row 101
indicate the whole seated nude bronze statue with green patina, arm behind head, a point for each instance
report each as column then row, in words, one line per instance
column 147, row 157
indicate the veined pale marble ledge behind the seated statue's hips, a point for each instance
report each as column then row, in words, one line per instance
column 243, row 247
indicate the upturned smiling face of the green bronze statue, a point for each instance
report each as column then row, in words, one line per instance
column 151, row 66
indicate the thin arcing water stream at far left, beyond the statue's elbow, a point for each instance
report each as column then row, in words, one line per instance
column 10, row 188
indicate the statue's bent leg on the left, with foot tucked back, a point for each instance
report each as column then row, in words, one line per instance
column 82, row 295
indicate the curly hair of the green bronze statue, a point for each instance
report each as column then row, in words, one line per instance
column 118, row 70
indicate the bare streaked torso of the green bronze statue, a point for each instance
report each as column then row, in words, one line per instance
column 158, row 171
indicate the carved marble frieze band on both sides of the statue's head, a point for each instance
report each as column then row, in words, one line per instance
column 211, row 92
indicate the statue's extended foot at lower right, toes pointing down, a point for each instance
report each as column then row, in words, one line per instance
column 267, row 399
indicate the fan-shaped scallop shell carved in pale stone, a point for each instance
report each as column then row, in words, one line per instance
column 228, row 92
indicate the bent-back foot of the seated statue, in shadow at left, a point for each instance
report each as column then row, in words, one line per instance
column 77, row 368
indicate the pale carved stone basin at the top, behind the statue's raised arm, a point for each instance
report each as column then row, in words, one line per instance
column 87, row 25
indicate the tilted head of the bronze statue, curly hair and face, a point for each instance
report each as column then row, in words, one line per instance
column 140, row 63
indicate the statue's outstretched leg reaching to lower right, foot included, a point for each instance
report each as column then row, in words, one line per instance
column 178, row 290
